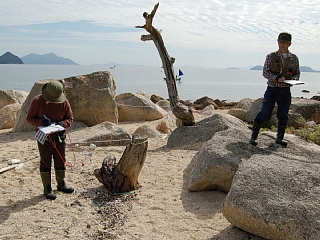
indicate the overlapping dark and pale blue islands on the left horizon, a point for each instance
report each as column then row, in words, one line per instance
column 50, row 58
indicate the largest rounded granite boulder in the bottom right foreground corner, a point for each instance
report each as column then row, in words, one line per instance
column 275, row 193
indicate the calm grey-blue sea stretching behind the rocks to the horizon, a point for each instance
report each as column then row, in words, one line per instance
column 223, row 84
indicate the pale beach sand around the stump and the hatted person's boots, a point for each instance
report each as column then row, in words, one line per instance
column 161, row 209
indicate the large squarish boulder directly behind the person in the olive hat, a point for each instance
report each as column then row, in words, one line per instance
column 91, row 96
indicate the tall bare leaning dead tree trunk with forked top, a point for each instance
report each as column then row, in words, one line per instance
column 179, row 110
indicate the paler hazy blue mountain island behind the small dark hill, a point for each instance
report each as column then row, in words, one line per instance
column 49, row 58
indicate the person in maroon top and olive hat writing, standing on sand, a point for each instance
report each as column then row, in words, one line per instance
column 51, row 106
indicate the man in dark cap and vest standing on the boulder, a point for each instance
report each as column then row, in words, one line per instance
column 278, row 67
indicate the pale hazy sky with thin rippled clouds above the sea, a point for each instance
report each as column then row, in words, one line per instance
column 200, row 33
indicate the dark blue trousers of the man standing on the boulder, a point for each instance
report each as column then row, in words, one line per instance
column 281, row 96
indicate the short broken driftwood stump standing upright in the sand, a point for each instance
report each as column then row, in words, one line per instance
column 123, row 176
